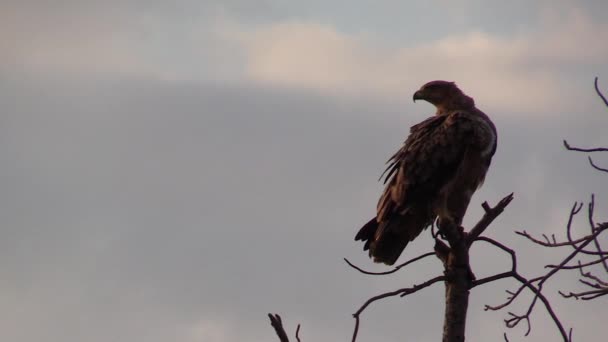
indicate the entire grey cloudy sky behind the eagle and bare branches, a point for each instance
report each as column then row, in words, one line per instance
column 174, row 171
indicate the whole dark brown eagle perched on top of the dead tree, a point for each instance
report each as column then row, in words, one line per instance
column 434, row 174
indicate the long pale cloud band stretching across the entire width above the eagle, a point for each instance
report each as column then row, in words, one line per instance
column 522, row 72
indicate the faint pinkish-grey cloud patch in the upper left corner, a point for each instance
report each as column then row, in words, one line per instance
column 35, row 40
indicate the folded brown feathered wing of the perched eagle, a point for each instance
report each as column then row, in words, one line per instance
column 427, row 161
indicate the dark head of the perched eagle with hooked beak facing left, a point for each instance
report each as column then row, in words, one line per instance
column 444, row 95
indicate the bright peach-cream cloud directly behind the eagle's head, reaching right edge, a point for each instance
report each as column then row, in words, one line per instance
column 521, row 73
